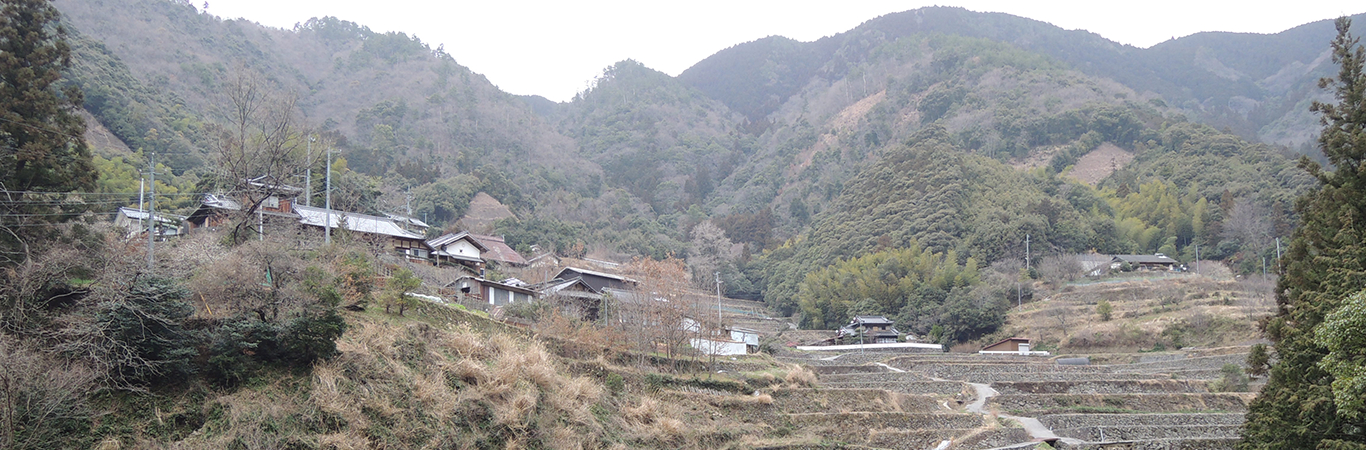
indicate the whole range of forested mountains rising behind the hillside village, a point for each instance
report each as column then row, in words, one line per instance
column 938, row 129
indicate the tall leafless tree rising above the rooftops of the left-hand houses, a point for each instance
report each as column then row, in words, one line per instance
column 260, row 147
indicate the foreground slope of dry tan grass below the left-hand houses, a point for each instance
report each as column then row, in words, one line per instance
column 449, row 378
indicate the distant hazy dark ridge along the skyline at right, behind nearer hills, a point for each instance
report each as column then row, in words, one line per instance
column 1257, row 85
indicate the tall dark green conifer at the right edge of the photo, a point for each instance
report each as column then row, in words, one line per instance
column 1326, row 266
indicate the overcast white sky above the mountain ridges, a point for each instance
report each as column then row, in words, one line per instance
column 555, row 49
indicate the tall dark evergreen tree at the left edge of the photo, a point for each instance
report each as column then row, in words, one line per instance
column 42, row 146
